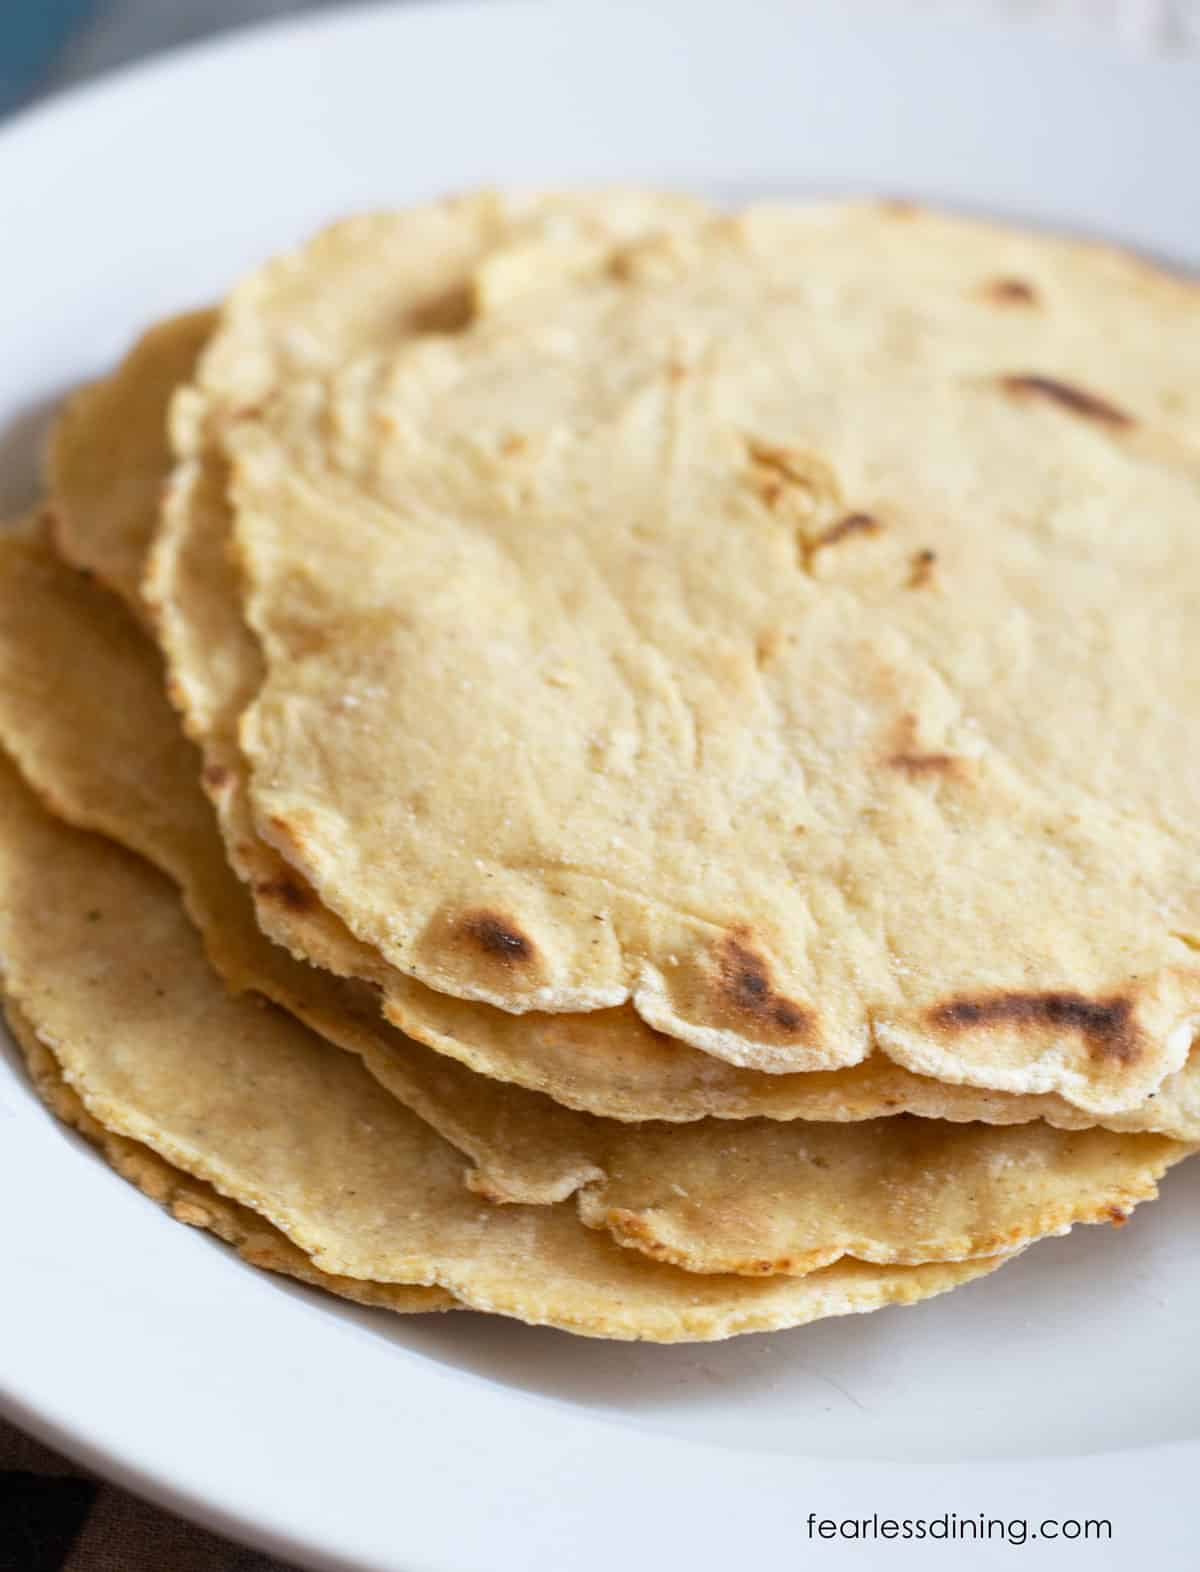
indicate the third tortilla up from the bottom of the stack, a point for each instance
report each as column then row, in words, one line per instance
column 83, row 711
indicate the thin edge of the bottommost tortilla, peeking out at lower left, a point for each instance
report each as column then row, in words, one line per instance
column 197, row 1203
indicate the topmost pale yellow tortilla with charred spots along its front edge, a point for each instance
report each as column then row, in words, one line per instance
column 781, row 626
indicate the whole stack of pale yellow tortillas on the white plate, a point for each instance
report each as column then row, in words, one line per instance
column 619, row 765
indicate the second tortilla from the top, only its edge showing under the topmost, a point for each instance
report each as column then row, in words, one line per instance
column 608, row 1062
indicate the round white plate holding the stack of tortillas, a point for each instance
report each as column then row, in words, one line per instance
column 1062, row 1389
